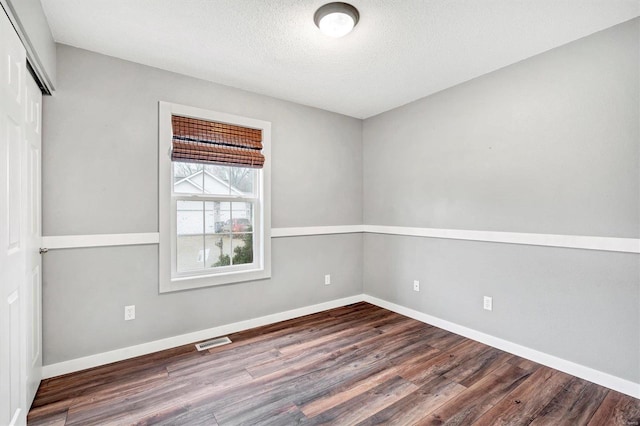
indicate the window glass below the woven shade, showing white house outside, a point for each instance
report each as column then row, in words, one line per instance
column 215, row 228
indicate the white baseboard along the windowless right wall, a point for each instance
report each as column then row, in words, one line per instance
column 604, row 379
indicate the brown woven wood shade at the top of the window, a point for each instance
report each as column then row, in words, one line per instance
column 201, row 141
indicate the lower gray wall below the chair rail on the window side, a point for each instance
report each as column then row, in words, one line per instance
column 85, row 292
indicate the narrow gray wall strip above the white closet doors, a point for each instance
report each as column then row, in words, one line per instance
column 41, row 48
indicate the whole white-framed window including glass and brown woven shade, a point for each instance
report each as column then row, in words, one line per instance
column 214, row 198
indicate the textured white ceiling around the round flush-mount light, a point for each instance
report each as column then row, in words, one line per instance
column 400, row 51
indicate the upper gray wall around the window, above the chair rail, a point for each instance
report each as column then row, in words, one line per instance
column 101, row 153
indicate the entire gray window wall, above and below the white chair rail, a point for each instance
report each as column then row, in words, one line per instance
column 100, row 160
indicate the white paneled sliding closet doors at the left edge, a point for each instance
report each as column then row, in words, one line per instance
column 19, row 202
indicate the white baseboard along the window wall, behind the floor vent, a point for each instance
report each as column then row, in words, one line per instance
column 90, row 361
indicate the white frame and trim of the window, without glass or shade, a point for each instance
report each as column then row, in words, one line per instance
column 170, row 280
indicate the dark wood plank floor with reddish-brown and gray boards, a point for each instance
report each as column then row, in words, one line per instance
column 358, row 364
